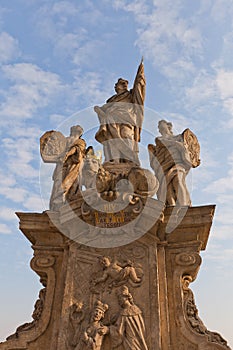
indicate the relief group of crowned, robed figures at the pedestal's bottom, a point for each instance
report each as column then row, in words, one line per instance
column 124, row 330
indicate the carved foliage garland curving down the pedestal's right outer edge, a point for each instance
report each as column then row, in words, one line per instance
column 191, row 313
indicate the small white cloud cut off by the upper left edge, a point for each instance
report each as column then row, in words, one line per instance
column 9, row 48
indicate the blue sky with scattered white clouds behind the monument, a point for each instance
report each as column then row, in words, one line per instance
column 58, row 59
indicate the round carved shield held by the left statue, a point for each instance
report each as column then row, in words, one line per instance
column 52, row 146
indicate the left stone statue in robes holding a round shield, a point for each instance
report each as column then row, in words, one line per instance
column 67, row 153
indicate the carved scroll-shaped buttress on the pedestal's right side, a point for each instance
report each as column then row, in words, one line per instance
column 191, row 331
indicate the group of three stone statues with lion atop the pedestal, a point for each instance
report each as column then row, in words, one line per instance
column 121, row 119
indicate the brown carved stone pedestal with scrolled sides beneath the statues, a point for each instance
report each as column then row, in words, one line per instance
column 155, row 269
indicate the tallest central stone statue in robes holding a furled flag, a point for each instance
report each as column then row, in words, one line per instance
column 121, row 119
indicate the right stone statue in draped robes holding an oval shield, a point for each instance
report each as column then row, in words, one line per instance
column 171, row 159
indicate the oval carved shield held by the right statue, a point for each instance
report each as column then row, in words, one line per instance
column 192, row 148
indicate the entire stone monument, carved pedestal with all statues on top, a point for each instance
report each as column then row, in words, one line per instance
column 119, row 246
